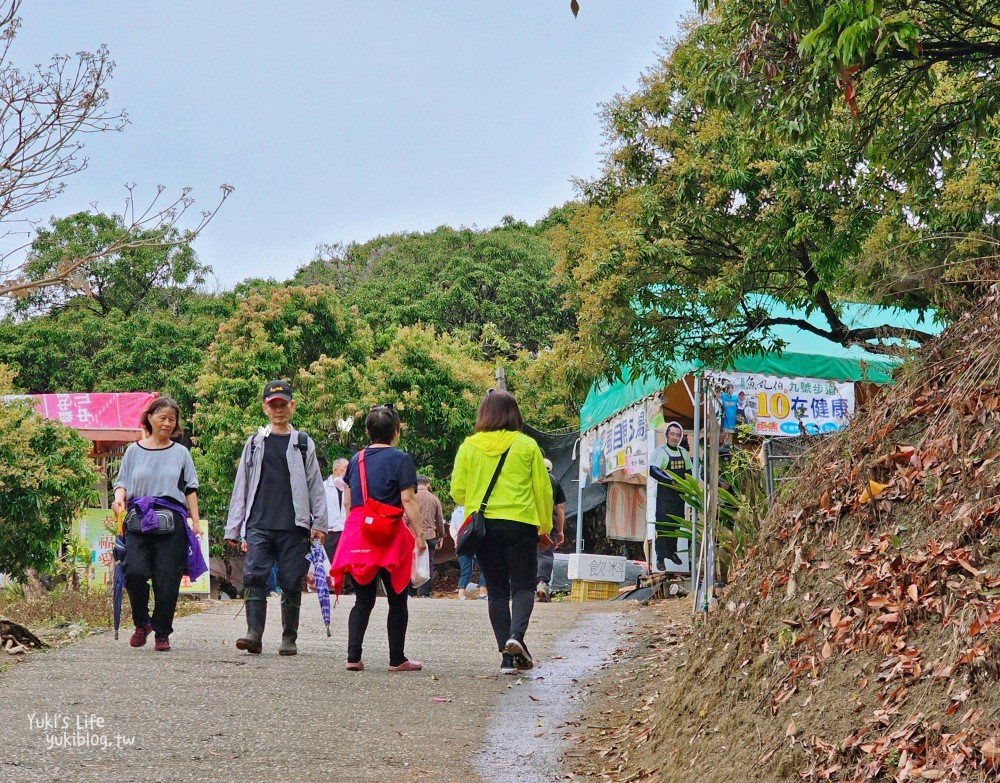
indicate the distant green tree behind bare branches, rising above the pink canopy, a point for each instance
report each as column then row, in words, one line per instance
column 161, row 267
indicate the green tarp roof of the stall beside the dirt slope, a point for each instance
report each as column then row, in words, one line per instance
column 805, row 354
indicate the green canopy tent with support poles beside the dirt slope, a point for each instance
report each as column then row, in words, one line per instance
column 804, row 354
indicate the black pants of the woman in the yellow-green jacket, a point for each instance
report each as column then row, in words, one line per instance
column 507, row 558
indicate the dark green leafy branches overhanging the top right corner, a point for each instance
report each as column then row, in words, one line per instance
column 885, row 59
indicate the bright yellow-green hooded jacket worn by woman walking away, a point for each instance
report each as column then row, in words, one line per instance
column 523, row 492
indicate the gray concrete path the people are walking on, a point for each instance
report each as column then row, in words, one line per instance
column 206, row 712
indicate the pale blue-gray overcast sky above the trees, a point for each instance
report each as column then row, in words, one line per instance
column 339, row 121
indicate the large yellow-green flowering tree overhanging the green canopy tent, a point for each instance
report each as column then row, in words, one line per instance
column 701, row 213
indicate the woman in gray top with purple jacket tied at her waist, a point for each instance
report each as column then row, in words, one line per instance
column 157, row 474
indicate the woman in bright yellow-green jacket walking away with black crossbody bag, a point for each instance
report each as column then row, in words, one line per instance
column 518, row 518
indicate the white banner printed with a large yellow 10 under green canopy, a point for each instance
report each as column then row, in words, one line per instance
column 775, row 407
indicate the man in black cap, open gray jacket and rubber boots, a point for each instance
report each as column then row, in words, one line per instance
column 279, row 501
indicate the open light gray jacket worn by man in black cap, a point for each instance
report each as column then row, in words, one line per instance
column 308, row 495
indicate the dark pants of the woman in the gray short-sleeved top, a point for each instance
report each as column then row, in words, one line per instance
column 163, row 560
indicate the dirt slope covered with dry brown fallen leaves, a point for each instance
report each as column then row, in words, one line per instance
column 861, row 640
